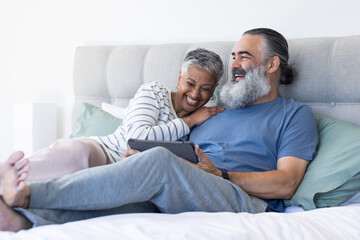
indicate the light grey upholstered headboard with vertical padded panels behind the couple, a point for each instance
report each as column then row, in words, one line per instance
column 327, row 79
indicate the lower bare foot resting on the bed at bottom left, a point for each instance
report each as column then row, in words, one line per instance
column 11, row 220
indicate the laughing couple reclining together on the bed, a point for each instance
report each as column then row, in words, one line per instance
column 252, row 155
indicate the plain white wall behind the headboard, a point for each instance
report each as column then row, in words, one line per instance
column 38, row 37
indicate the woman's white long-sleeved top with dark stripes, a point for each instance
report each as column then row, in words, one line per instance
column 150, row 116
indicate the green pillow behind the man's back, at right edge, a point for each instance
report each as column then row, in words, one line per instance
column 333, row 176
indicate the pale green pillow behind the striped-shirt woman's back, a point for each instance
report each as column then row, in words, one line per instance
column 92, row 121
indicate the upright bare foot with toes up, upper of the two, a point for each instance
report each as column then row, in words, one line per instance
column 13, row 175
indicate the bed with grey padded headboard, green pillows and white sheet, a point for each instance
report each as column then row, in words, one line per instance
column 326, row 204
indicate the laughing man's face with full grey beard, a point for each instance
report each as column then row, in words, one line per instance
column 249, row 82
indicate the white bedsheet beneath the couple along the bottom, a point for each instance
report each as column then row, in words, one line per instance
column 327, row 223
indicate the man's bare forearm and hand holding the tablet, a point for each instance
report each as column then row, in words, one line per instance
column 277, row 184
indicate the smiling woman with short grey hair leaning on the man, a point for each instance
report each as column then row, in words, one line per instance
column 155, row 113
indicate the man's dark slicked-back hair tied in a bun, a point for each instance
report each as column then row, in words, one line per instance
column 275, row 45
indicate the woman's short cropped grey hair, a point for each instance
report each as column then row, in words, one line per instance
column 204, row 59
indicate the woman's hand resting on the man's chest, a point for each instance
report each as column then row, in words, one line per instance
column 201, row 115
